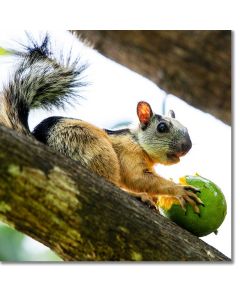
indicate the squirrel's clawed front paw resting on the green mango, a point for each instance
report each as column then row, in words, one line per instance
column 187, row 194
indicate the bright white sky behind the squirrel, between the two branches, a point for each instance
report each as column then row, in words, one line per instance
column 112, row 97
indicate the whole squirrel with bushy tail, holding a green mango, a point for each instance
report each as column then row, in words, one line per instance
column 124, row 157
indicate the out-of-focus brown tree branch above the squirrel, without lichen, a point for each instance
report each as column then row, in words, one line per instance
column 193, row 65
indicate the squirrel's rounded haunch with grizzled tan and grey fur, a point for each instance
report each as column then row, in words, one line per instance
column 88, row 144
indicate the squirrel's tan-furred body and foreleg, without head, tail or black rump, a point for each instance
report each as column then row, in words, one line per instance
column 117, row 157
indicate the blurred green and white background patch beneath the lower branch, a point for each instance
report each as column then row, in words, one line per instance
column 16, row 247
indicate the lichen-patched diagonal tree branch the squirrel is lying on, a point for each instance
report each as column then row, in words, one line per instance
column 79, row 215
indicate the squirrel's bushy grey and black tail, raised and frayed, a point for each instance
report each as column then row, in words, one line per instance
column 40, row 80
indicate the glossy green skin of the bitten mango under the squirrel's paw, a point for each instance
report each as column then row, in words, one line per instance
column 211, row 215
